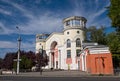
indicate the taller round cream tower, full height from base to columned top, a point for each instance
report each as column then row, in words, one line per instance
column 74, row 36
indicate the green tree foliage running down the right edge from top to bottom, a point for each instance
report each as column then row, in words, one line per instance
column 114, row 38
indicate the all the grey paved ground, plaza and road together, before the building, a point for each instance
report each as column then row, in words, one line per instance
column 56, row 76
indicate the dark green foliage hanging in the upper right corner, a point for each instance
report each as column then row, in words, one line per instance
column 114, row 14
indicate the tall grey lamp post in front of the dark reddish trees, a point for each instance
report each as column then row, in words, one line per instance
column 18, row 56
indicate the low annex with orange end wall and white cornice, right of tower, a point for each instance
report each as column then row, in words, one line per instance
column 96, row 59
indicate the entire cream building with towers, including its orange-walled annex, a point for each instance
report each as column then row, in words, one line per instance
column 67, row 51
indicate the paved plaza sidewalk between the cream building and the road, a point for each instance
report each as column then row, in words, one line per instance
column 51, row 74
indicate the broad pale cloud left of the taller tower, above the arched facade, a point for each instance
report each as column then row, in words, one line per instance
column 44, row 23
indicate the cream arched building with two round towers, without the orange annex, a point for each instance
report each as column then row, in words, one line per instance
column 63, row 48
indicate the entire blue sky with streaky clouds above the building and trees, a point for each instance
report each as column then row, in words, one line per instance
column 44, row 16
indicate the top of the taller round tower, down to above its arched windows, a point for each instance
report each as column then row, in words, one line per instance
column 74, row 26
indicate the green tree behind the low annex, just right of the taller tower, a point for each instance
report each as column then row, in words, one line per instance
column 96, row 35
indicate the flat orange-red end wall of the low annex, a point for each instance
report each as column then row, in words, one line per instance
column 99, row 63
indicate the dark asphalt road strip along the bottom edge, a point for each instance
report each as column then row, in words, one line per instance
column 27, row 78
